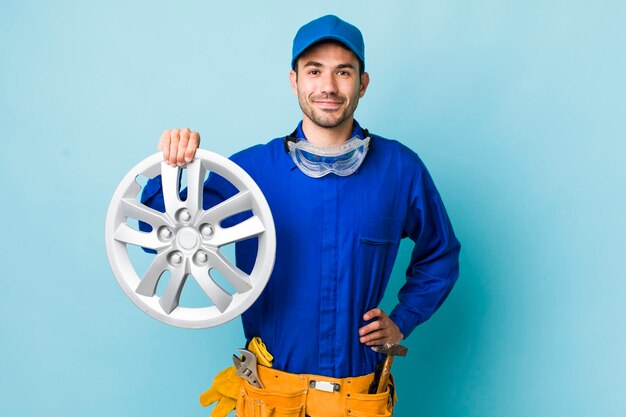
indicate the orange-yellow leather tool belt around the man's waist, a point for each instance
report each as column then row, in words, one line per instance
column 296, row 395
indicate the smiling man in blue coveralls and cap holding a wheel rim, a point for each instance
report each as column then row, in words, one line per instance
column 342, row 199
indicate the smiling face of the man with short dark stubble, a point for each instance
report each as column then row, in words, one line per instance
column 328, row 85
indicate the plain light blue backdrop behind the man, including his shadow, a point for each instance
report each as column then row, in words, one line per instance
column 517, row 108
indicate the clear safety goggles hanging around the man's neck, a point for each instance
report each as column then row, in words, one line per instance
column 317, row 161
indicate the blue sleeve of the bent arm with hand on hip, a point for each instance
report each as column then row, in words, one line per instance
column 434, row 266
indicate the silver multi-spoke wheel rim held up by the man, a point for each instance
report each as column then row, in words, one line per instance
column 187, row 239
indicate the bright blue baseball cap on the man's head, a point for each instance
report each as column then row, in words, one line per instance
column 328, row 27
